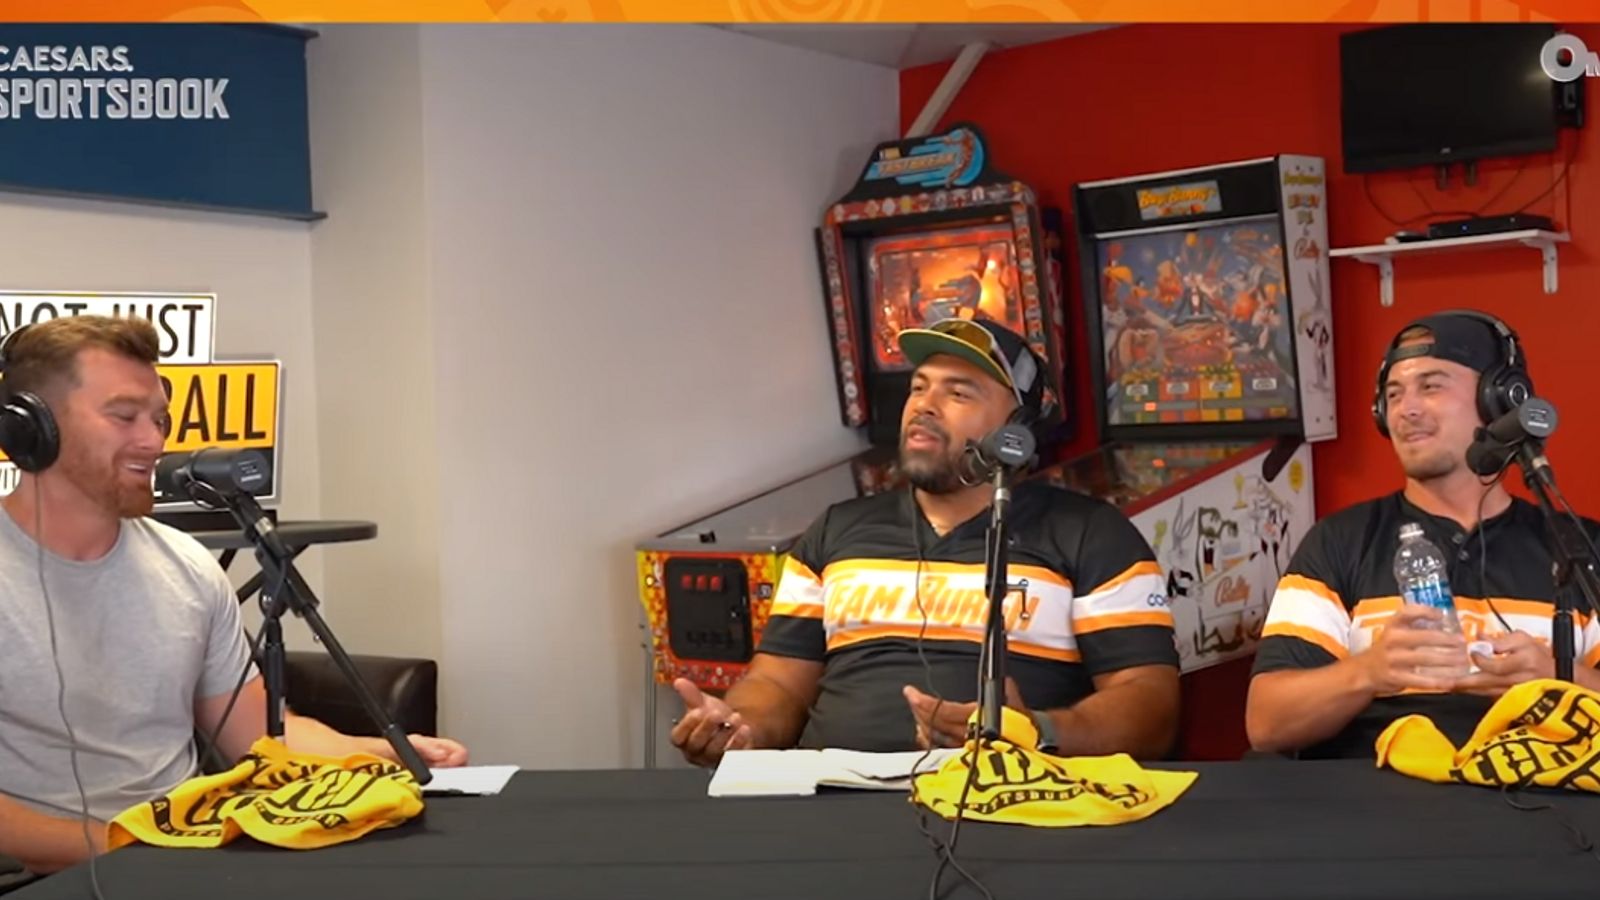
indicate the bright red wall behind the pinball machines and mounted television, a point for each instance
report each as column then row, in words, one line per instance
column 1151, row 98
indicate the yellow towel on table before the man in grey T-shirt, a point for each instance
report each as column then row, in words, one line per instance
column 278, row 798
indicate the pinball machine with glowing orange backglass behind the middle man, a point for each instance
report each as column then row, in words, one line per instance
column 930, row 231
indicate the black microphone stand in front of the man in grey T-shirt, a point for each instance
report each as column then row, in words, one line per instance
column 286, row 590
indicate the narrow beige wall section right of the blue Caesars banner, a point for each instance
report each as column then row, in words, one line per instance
column 374, row 337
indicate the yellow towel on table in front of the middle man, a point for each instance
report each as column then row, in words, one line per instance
column 1017, row 784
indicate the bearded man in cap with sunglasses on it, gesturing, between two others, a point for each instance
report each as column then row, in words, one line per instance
column 881, row 608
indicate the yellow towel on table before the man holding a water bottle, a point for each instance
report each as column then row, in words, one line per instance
column 1542, row 733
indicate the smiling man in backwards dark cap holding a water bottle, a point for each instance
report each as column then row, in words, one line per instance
column 1340, row 656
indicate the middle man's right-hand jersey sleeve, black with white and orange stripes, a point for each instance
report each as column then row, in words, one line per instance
column 1119, row 609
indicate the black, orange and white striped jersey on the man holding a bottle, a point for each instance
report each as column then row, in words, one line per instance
column 1340, row 589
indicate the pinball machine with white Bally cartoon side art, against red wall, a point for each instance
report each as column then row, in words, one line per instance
column 1212, row 361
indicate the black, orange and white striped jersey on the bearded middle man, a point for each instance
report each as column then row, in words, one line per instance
column 871, row 581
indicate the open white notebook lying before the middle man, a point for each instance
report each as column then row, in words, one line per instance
column 801, row 773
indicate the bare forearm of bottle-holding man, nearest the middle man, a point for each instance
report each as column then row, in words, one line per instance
column 1297, row 709
